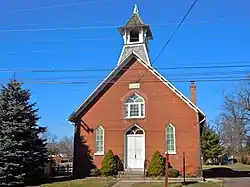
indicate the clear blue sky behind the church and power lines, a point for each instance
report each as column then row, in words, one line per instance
column 215, row 33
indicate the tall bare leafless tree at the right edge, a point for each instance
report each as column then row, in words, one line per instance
column 233, row 123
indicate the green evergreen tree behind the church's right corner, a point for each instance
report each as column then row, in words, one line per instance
column 210, row 143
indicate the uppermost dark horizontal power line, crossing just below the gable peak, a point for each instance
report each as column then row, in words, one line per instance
column 109, row 69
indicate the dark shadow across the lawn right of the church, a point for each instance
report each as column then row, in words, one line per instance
column 224, row 172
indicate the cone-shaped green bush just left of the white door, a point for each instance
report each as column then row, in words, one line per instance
column 108, row 164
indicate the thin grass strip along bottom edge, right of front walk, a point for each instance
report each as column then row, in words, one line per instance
column 210, row 184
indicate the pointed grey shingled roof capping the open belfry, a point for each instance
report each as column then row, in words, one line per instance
column 135, row 21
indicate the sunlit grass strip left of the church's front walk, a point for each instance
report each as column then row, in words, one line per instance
column 83, row 183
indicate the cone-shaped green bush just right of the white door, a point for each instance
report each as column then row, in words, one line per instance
column 156, row 166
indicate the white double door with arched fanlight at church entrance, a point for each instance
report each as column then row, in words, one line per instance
column 134, row 148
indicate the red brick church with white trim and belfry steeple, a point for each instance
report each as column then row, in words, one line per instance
column 135, row 111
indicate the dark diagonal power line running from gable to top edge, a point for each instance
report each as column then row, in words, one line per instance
column 175, row 31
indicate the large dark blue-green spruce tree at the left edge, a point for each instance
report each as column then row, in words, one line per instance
column 22, row 151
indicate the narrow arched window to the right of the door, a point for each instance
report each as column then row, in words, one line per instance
column 170, row 139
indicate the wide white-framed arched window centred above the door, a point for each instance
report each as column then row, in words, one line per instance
column 135, row 107
